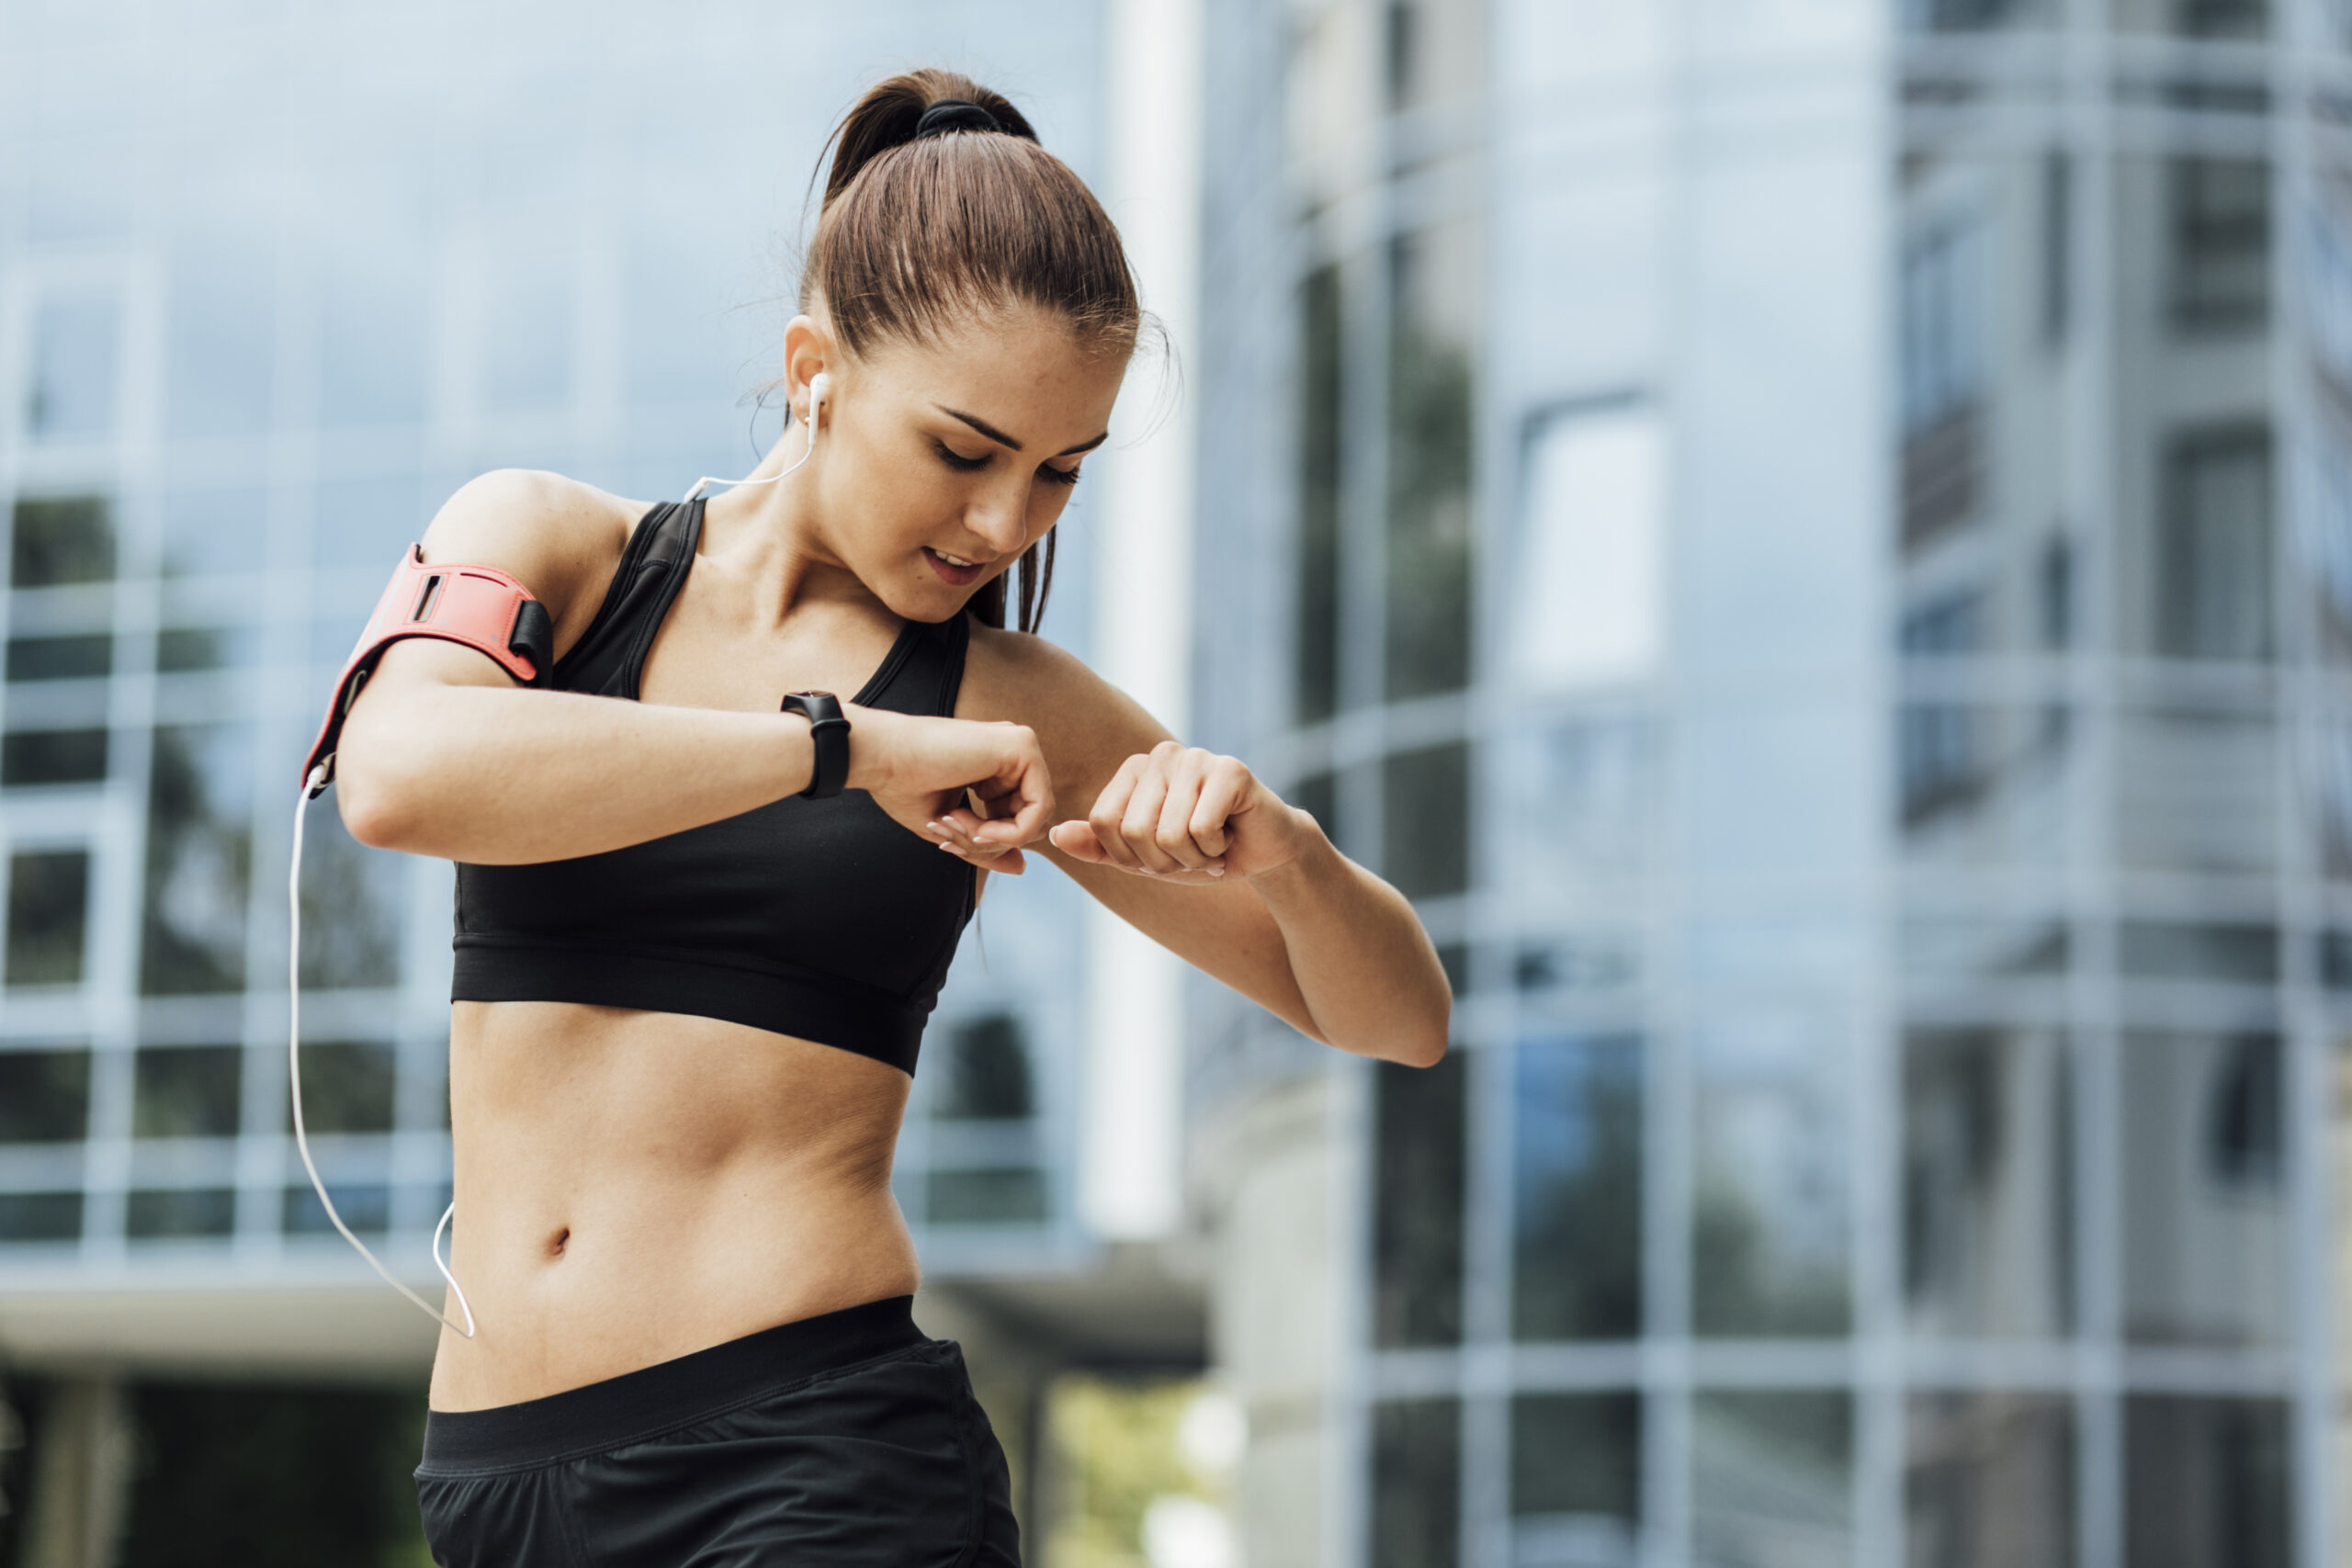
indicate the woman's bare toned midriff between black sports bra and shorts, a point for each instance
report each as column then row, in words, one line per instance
column 641, row 1186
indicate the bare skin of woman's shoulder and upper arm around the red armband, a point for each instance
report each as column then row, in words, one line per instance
column 556, row 537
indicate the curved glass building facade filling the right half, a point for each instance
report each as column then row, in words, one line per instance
column 1812, row 540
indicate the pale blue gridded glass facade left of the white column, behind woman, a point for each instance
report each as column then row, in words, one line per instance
column 272, row 286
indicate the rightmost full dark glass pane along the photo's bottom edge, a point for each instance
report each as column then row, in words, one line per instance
column 2205, row 1482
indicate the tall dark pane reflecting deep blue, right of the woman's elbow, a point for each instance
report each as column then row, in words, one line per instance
column 1579, row 1191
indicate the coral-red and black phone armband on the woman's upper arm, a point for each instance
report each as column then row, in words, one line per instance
column 476, row 605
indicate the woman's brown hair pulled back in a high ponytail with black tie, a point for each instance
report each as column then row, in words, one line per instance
column 921, row 236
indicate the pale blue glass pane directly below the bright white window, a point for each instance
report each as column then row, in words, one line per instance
column 1582, row 805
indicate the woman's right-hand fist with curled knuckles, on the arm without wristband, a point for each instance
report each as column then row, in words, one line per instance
column 1187, row 815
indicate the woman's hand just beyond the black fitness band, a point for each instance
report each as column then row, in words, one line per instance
column 977, row 791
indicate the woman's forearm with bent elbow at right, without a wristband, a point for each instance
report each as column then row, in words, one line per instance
column 1363, row 965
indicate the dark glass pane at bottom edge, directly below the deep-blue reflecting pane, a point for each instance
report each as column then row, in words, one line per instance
column 1577, row 1480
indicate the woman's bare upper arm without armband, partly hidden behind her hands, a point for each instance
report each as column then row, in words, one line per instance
column 1088, row 730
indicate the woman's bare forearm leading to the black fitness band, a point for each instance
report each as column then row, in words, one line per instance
column 507, row 777
